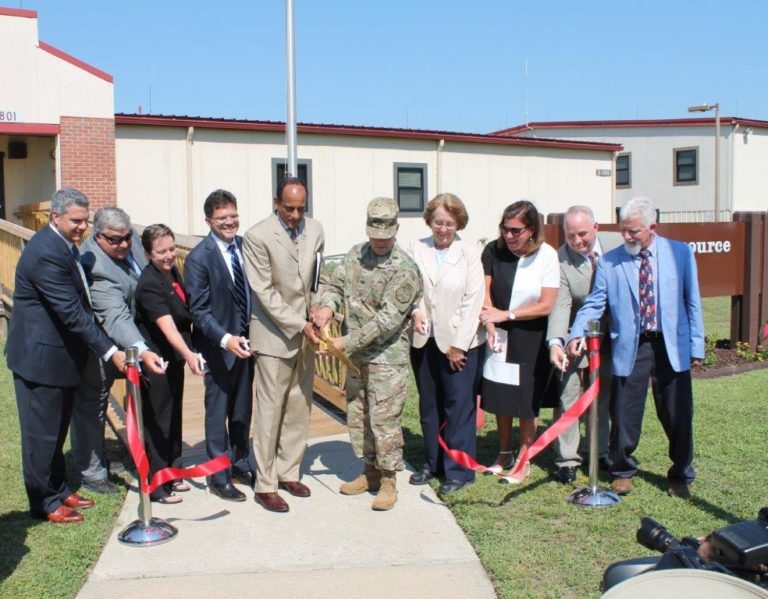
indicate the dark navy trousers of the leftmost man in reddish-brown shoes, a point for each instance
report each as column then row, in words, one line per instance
column 44, row 415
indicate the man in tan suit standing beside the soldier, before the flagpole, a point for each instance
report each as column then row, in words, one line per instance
column 280, row 254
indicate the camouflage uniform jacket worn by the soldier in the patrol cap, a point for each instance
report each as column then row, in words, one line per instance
column 375, row 295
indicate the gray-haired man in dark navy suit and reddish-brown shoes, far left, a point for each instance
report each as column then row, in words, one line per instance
column 51, row 330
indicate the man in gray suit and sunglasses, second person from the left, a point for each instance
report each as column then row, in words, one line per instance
column 112, row 262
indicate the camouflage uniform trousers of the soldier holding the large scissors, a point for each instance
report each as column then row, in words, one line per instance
column 375, row 401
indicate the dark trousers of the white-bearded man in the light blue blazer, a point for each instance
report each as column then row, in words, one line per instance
column 673, row 397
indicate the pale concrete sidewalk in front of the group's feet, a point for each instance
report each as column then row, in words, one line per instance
column 328, row 545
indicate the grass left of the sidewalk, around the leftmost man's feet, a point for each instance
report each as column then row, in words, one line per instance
column 39, row 559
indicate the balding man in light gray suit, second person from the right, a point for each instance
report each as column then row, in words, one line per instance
column 578, row 259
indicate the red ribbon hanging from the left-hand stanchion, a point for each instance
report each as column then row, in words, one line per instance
column 139, row 454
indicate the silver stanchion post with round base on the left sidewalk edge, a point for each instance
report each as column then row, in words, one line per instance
column 145, row 531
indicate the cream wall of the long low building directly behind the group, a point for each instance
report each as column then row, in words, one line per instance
column 165, row 173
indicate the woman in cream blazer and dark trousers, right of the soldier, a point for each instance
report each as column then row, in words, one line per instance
column 447, row 341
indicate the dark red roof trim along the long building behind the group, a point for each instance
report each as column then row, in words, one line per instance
column 321, row 129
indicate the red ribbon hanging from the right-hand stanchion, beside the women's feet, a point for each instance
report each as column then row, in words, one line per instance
column 568, row 418
